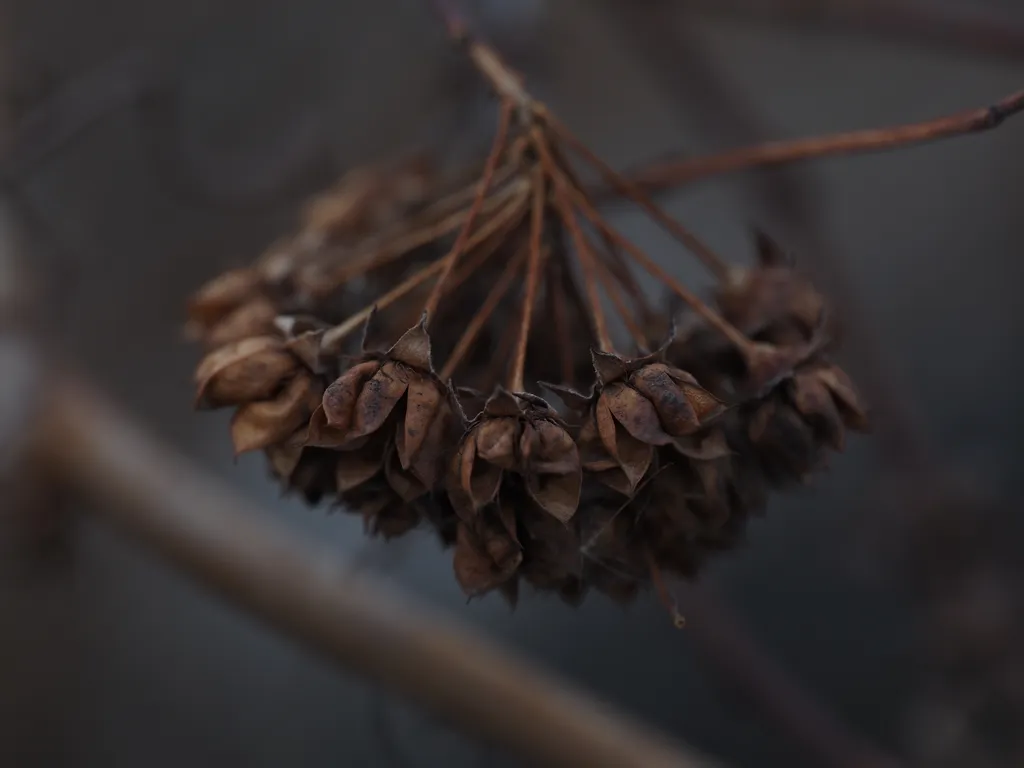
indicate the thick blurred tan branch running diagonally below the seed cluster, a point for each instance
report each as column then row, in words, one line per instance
column 214, row 537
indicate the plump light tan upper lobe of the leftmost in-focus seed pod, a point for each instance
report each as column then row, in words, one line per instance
column 248, row 370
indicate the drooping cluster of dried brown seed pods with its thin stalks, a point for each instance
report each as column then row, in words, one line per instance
column 470, row 301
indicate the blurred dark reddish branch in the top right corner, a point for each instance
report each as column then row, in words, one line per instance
column 926, row 24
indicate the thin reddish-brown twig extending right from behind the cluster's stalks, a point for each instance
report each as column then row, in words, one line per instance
column 664, row 176
